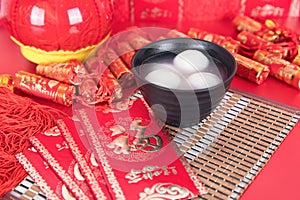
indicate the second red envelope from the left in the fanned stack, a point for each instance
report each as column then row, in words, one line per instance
column 55, row 151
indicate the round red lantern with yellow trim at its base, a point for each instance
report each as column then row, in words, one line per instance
column 57, row 30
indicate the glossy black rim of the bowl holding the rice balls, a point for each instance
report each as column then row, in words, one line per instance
column 168, row 40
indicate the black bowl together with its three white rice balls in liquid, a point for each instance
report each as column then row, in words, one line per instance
column 183, row 79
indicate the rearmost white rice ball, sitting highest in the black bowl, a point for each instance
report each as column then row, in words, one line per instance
column 191, row 61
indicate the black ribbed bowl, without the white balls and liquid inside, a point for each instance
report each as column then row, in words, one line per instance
column 177, row 107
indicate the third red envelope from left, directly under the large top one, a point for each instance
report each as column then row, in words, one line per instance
column 89, row 166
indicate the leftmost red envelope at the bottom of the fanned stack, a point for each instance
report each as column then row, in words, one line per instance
column 51, row 185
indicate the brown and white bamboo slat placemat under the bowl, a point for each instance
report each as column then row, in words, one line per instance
column 227, row 149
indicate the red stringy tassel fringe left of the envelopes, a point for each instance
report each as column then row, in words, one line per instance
column 20, row 118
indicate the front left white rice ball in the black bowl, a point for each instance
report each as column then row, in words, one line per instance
column 164, row 77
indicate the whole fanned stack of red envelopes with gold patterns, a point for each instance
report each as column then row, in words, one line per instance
column 115, row 153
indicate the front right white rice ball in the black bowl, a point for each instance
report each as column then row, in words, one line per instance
column 203, row 80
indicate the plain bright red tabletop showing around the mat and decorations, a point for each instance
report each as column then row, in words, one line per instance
column 280, row 178
